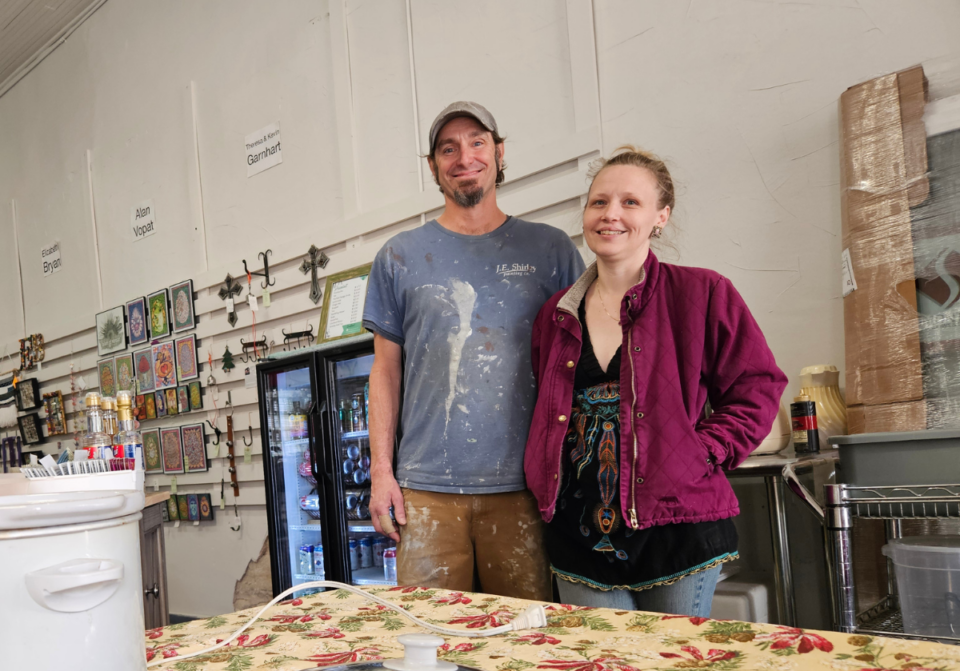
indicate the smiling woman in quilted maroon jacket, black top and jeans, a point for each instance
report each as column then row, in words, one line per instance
column 627, row 471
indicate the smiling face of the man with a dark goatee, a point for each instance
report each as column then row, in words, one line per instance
column 465, row 161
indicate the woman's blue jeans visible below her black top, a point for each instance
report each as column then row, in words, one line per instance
column 691, row 595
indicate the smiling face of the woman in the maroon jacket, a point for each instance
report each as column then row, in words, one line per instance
column 621, row 213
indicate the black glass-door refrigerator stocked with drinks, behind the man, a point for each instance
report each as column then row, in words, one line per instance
column 313, row 422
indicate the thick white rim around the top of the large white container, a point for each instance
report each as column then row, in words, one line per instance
column 29, row 511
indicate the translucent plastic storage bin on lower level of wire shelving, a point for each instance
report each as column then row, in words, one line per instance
column 928, row 579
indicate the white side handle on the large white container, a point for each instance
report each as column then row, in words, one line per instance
column 76, row 585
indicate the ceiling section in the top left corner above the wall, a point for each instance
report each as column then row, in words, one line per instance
column 29, row 28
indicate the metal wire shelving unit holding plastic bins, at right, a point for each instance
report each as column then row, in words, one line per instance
column 891, row 503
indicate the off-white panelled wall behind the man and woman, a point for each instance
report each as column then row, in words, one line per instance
column 153, row 100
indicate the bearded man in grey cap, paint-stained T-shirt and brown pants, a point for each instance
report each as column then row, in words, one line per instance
column 453, row 302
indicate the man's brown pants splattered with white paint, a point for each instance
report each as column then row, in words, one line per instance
column 447, row 534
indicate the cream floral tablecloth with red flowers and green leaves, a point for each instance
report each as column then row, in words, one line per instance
column 338, row 628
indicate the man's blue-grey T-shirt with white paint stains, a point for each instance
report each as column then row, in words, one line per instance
column 462, row 307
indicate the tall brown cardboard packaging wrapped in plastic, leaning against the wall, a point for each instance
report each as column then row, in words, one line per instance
column 883, row 168
